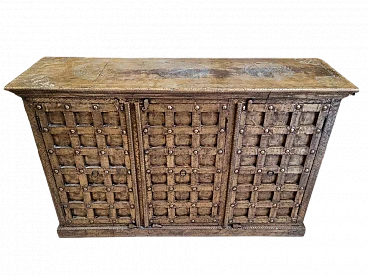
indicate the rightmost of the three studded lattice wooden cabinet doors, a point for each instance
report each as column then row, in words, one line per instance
column 275, row 144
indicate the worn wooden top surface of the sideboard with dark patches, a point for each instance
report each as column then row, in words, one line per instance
column 192, row 74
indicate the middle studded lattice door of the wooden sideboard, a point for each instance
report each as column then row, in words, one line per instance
column 184, row 148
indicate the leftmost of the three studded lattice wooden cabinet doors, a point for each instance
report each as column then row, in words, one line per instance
column 90, row 152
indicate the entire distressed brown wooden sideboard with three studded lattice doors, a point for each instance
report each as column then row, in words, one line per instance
column 181, row 147
